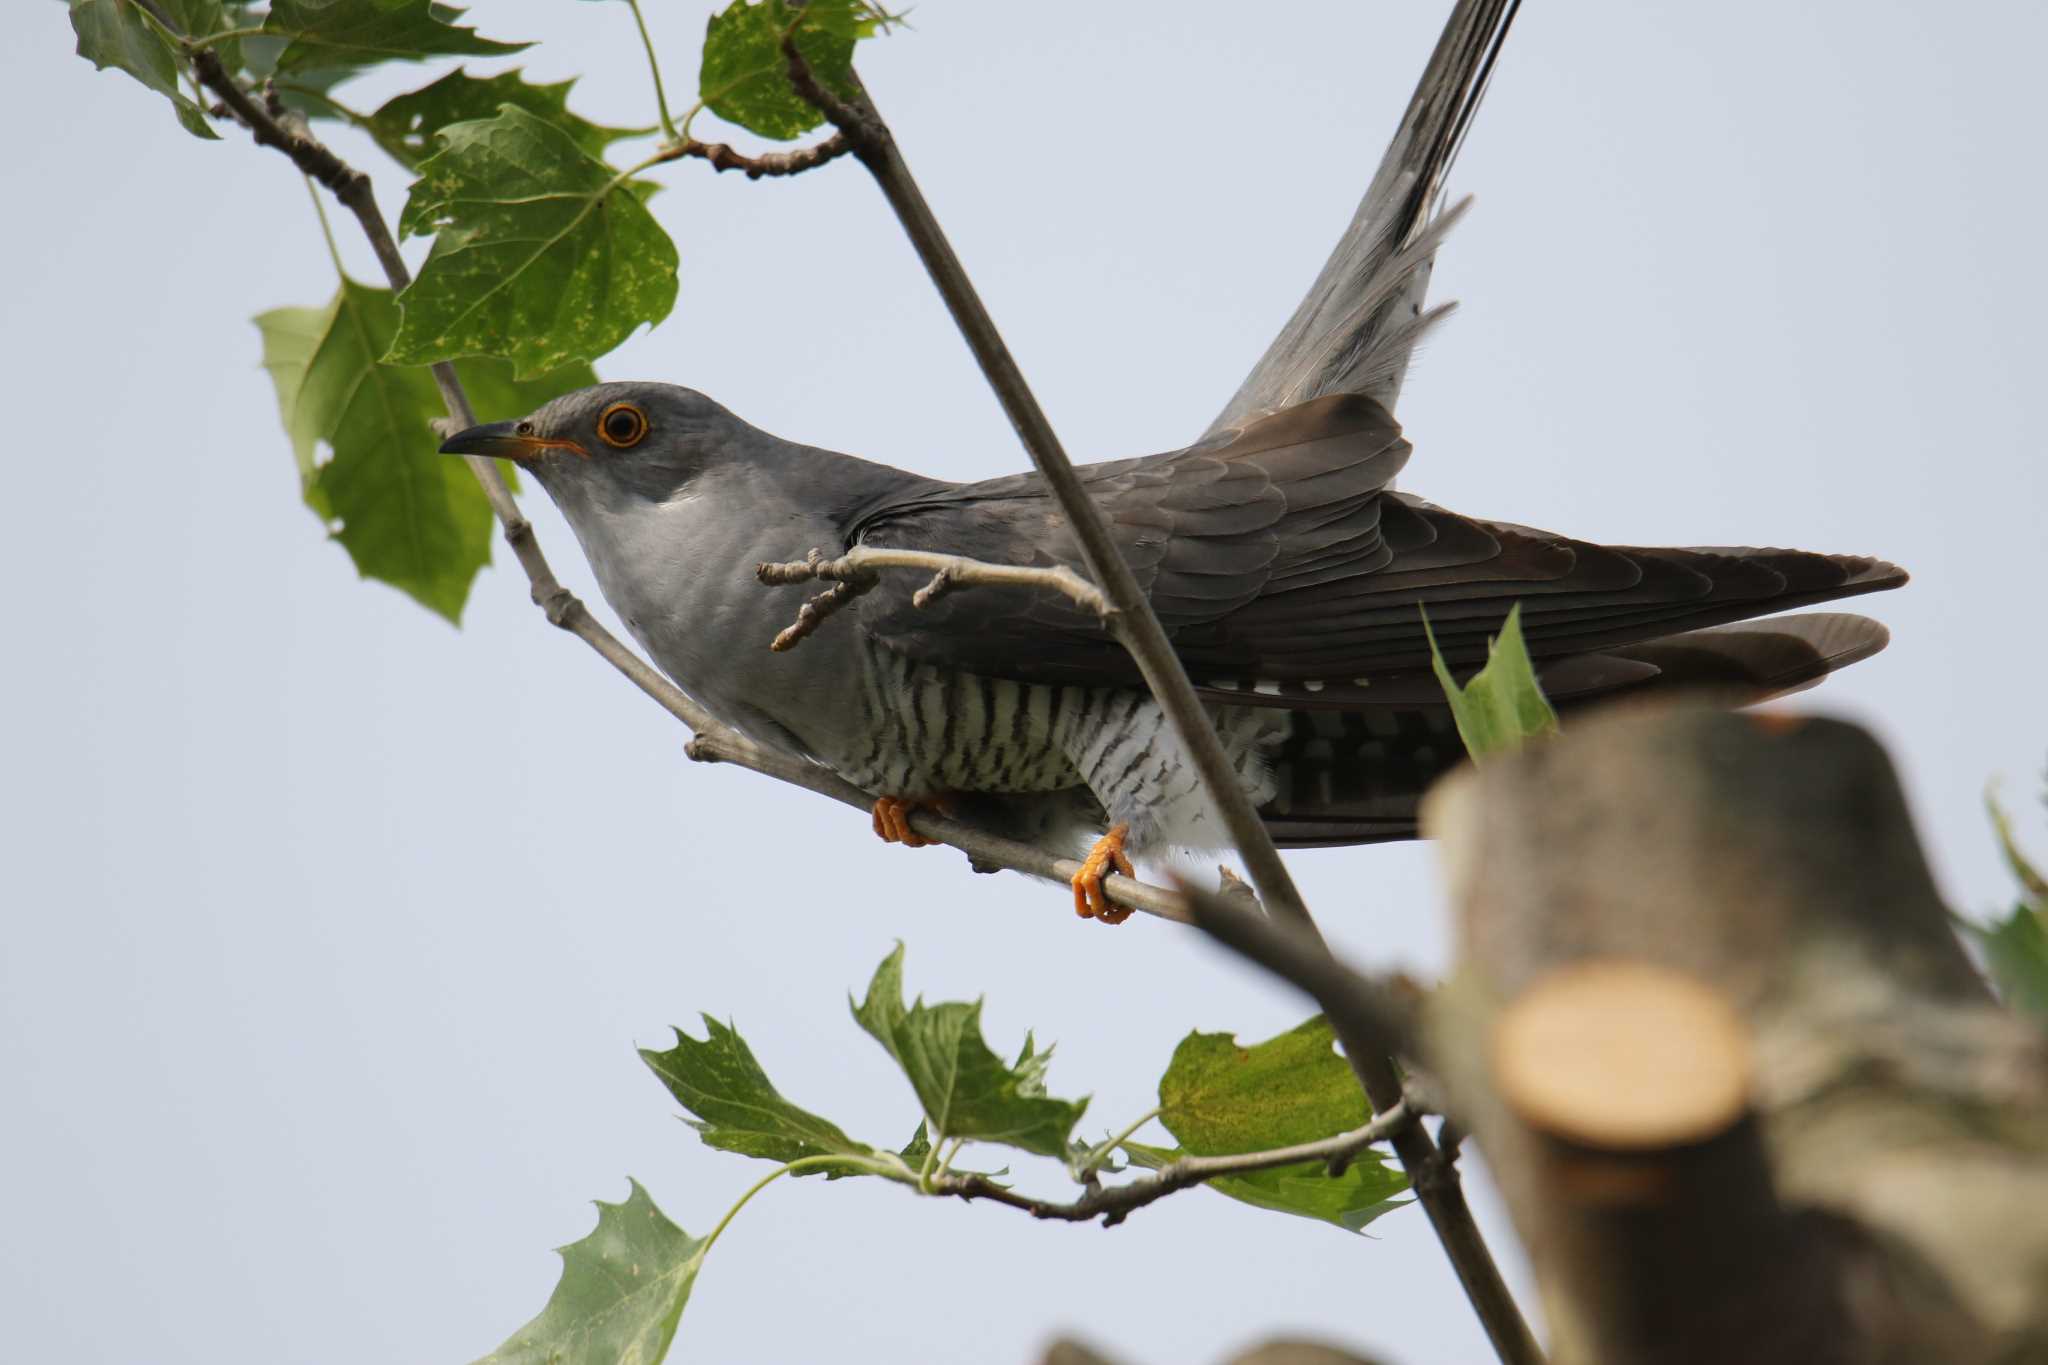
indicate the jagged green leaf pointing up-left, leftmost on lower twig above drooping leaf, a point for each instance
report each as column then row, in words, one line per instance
column 736, row 1108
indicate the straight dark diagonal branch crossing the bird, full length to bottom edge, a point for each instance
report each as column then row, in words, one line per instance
column 1138, row 629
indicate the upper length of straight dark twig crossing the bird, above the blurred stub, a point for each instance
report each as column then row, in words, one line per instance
column 1132, row 617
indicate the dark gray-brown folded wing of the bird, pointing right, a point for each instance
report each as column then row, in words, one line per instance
column 1287, row 572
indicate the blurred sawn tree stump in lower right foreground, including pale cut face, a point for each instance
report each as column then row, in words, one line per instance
column 1742, row 1088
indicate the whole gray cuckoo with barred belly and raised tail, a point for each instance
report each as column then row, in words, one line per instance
column 1283, row 564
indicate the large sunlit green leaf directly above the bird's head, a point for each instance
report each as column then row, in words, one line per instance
column 542, row 253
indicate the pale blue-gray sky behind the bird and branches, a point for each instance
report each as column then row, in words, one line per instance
column 333, row 930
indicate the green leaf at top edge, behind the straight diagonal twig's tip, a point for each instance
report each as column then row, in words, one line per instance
column 744, row 77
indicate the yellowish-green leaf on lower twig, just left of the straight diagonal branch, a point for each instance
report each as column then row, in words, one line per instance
column 1220, row 1098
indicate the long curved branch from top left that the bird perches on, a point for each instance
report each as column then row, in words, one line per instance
column 714, row 742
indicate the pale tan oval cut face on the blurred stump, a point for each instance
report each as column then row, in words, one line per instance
column 1623, row 1057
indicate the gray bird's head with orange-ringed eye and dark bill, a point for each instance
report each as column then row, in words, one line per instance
column 638, row 439
